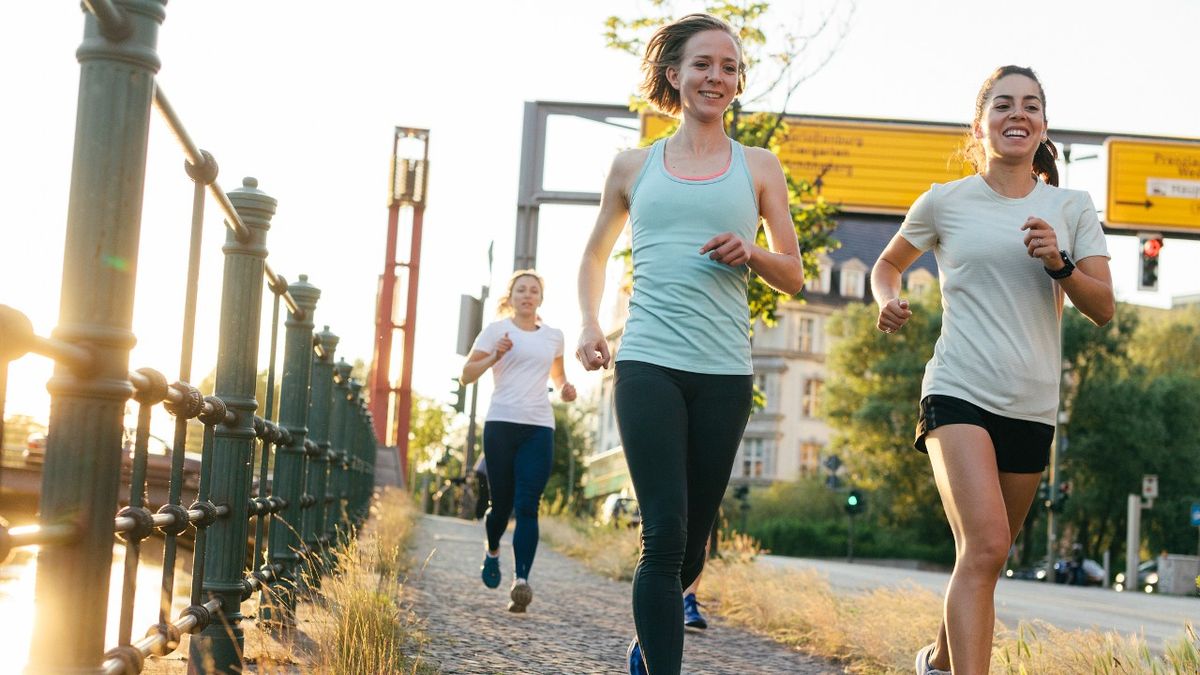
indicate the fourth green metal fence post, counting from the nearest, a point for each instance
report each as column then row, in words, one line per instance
column 317, row 481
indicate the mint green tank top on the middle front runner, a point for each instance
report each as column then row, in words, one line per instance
column 687, row 312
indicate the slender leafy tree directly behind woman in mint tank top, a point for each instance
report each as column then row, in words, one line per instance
column 812, row 216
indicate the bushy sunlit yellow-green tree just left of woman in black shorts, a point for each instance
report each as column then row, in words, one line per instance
column 871, row 402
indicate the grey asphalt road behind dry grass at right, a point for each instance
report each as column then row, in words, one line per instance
column 1159, row 618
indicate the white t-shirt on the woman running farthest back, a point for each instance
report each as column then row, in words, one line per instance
column 520, row 377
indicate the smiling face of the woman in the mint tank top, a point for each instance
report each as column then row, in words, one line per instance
column 707, row 75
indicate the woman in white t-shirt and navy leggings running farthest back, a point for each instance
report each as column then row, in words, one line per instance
column 519, row 433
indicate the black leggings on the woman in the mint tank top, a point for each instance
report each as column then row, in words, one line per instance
column 681, row 433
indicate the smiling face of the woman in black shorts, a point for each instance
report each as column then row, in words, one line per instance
column 1012, row 123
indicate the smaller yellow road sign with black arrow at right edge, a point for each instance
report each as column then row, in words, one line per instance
column 1154, row 186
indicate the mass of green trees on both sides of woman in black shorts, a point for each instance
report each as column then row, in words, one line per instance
column 1133, row 395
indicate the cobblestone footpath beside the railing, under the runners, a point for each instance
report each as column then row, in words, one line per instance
column 579, row 623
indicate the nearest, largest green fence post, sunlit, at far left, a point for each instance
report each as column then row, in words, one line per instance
column 83, row 459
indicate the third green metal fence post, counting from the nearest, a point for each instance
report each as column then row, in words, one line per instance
column 279, row 600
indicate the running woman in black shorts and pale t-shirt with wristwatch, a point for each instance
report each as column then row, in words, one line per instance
column 1009, row 243
